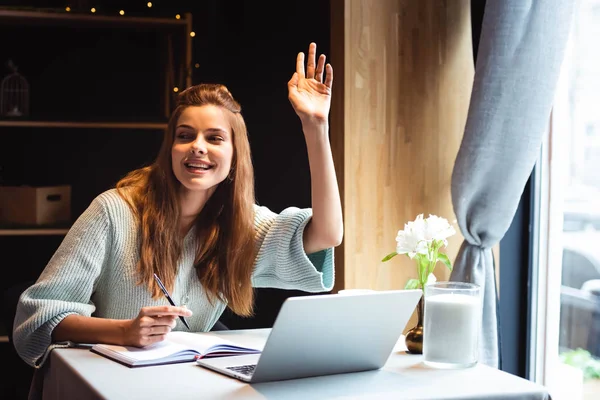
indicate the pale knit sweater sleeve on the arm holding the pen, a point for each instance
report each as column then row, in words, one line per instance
column 64, row 287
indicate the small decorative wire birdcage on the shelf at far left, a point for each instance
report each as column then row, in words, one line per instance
column 14, row 94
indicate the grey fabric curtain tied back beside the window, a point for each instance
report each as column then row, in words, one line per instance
column 520, row 53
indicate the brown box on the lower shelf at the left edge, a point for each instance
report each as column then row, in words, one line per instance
column 34, row 206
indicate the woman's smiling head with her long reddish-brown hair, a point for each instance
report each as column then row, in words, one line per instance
column 204, row 167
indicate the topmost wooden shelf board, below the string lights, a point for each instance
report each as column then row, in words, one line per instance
column 60, row 17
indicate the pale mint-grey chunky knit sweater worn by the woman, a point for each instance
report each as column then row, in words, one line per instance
column 93, row 273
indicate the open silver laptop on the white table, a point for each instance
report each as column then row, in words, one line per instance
column 325, row 334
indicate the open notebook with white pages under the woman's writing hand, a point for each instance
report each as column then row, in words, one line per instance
column 176, row 348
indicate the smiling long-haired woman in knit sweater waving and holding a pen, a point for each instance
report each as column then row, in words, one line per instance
column 190, row 218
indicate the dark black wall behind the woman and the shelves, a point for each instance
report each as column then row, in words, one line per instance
column 112, row 74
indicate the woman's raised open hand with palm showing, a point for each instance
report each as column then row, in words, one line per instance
column 310, row 91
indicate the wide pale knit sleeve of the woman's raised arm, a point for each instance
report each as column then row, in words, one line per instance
column 281, row 261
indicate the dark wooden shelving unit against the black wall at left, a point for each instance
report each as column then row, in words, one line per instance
column 177, row 28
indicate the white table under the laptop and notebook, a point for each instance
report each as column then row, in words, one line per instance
column 81, row 374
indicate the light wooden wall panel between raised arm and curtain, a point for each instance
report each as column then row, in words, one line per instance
column 403, row 76
